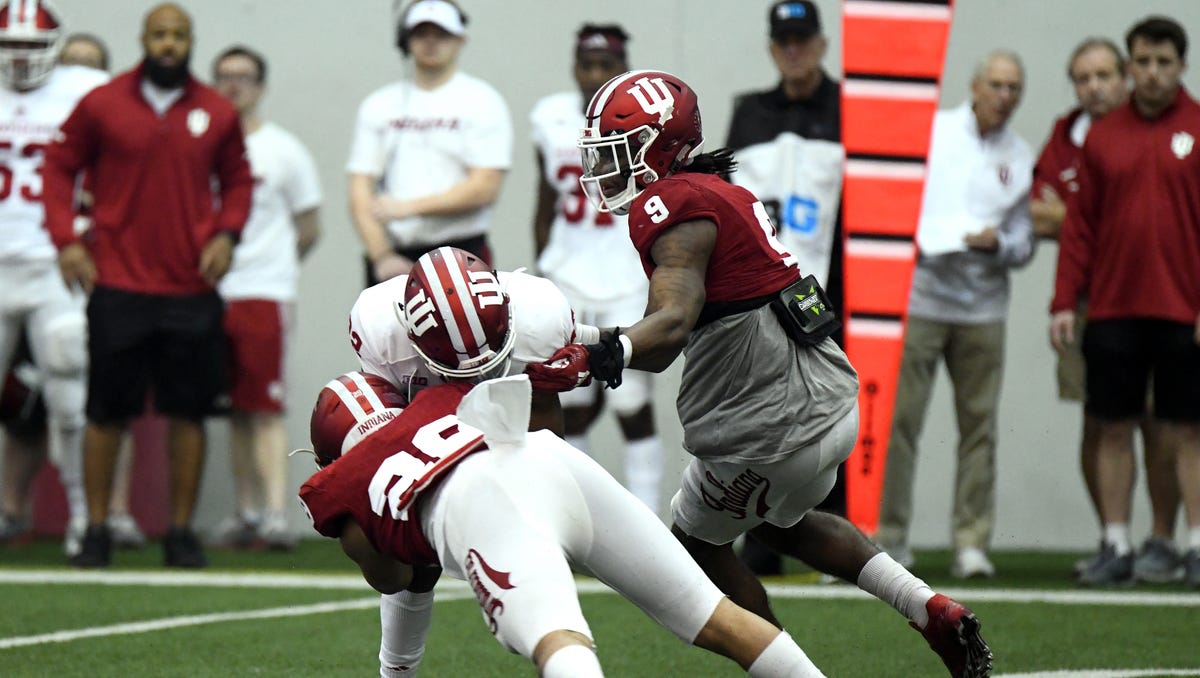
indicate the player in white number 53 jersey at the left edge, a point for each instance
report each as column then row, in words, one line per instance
column 37, row 97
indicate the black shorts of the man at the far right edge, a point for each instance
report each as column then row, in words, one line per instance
column 1124, row 355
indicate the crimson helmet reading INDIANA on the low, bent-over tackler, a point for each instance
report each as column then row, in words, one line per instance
column 349, row 410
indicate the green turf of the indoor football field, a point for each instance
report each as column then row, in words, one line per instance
column 845, row 638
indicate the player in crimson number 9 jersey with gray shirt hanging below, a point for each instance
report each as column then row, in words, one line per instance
column 770, row 409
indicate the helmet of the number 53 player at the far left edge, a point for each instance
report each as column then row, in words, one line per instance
column 31, row 40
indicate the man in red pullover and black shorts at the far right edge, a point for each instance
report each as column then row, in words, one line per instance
column 1129, row 245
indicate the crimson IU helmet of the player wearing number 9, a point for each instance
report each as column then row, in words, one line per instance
column 640, row 128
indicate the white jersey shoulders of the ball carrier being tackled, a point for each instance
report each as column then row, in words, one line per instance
column 542, row 320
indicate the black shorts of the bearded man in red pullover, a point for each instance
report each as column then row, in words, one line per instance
column 175, row 344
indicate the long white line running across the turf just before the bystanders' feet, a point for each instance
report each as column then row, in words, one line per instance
column 352, row 583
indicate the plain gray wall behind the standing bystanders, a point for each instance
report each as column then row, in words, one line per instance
column 326, row 57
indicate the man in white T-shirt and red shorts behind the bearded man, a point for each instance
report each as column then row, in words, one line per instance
column 260, row 292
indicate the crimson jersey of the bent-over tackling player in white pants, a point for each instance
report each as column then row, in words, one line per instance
column 377, row 482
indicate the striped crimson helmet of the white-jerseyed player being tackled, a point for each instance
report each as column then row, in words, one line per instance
column 458, row 316
